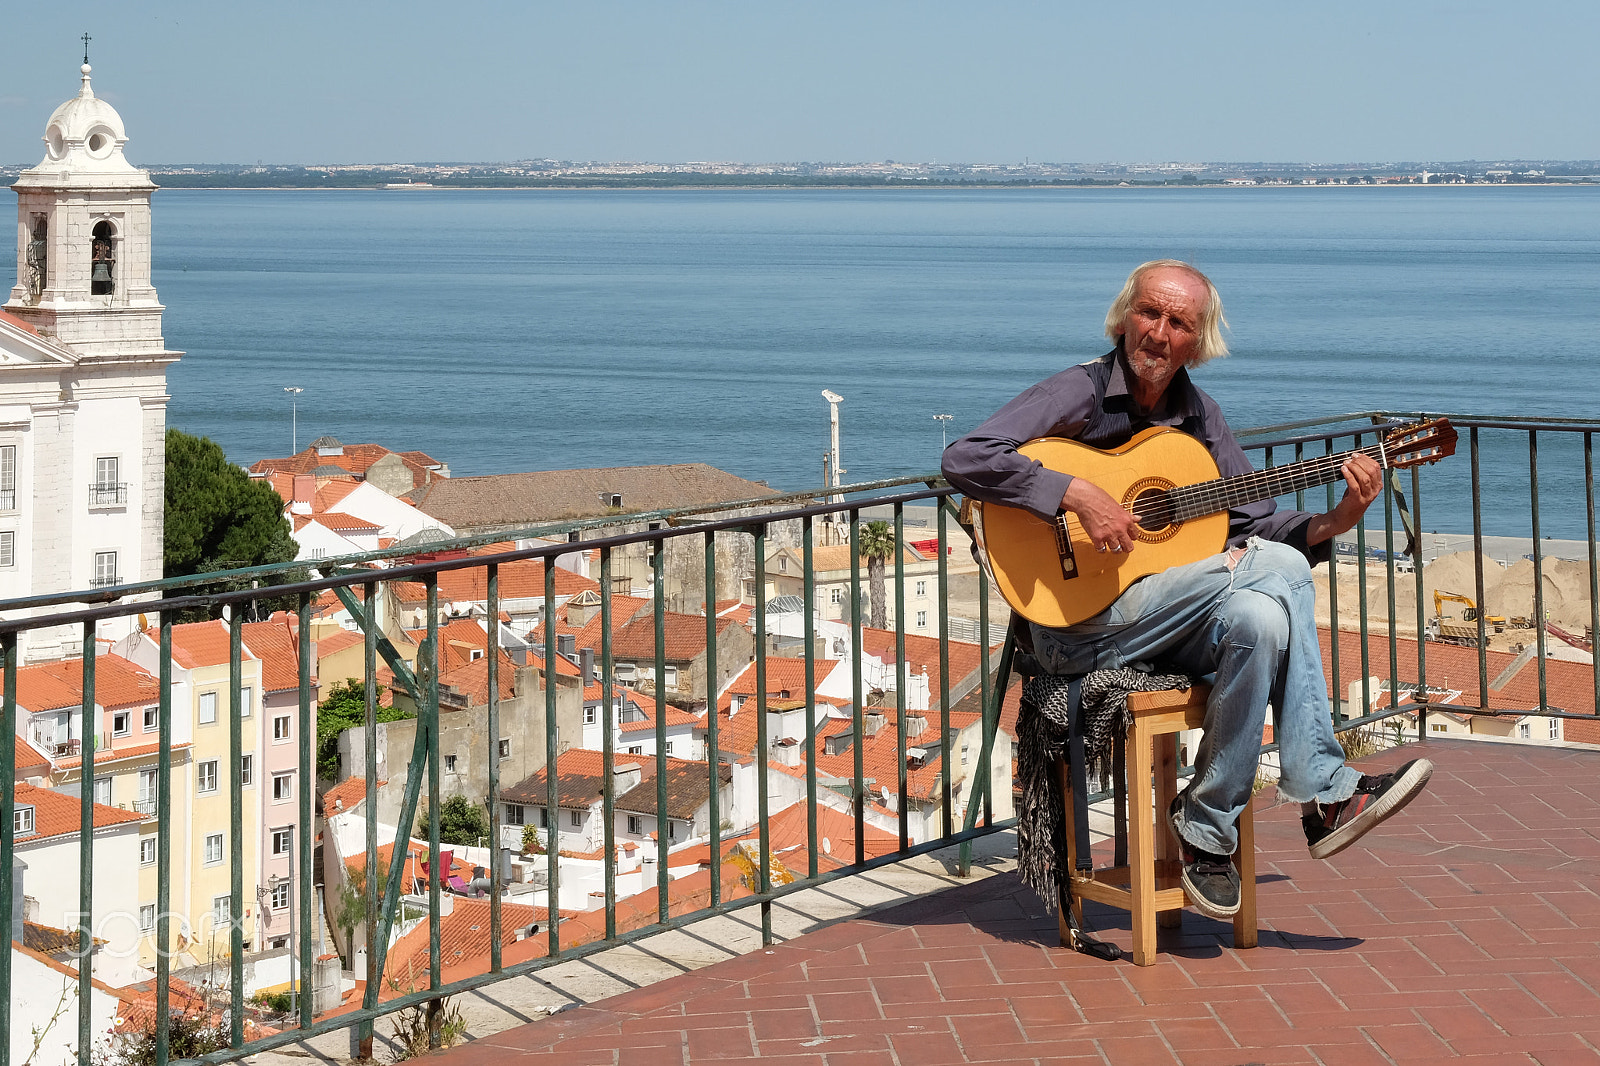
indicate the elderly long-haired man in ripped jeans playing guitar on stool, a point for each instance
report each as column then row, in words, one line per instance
column 1244, row 614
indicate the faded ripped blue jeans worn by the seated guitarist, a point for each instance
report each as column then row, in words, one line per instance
column 1250, row 622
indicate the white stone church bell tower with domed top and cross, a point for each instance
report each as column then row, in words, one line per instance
column 82, row 372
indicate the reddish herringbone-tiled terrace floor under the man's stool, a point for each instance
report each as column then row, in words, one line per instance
column 1466, row 929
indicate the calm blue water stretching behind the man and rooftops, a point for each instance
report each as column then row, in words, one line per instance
column 534, row 331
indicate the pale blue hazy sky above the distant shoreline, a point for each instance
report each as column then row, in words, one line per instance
column 1343, row 81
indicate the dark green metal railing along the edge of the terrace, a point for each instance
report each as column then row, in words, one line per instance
column 358, row 583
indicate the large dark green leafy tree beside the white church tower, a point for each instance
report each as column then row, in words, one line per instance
column 218, row 518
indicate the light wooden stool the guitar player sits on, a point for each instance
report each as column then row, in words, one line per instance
column 1150, row 888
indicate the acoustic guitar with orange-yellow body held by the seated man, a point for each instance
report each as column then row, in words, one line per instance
column 1050, row 572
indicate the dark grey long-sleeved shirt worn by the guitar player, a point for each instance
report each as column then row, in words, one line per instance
column 1092, row 404
